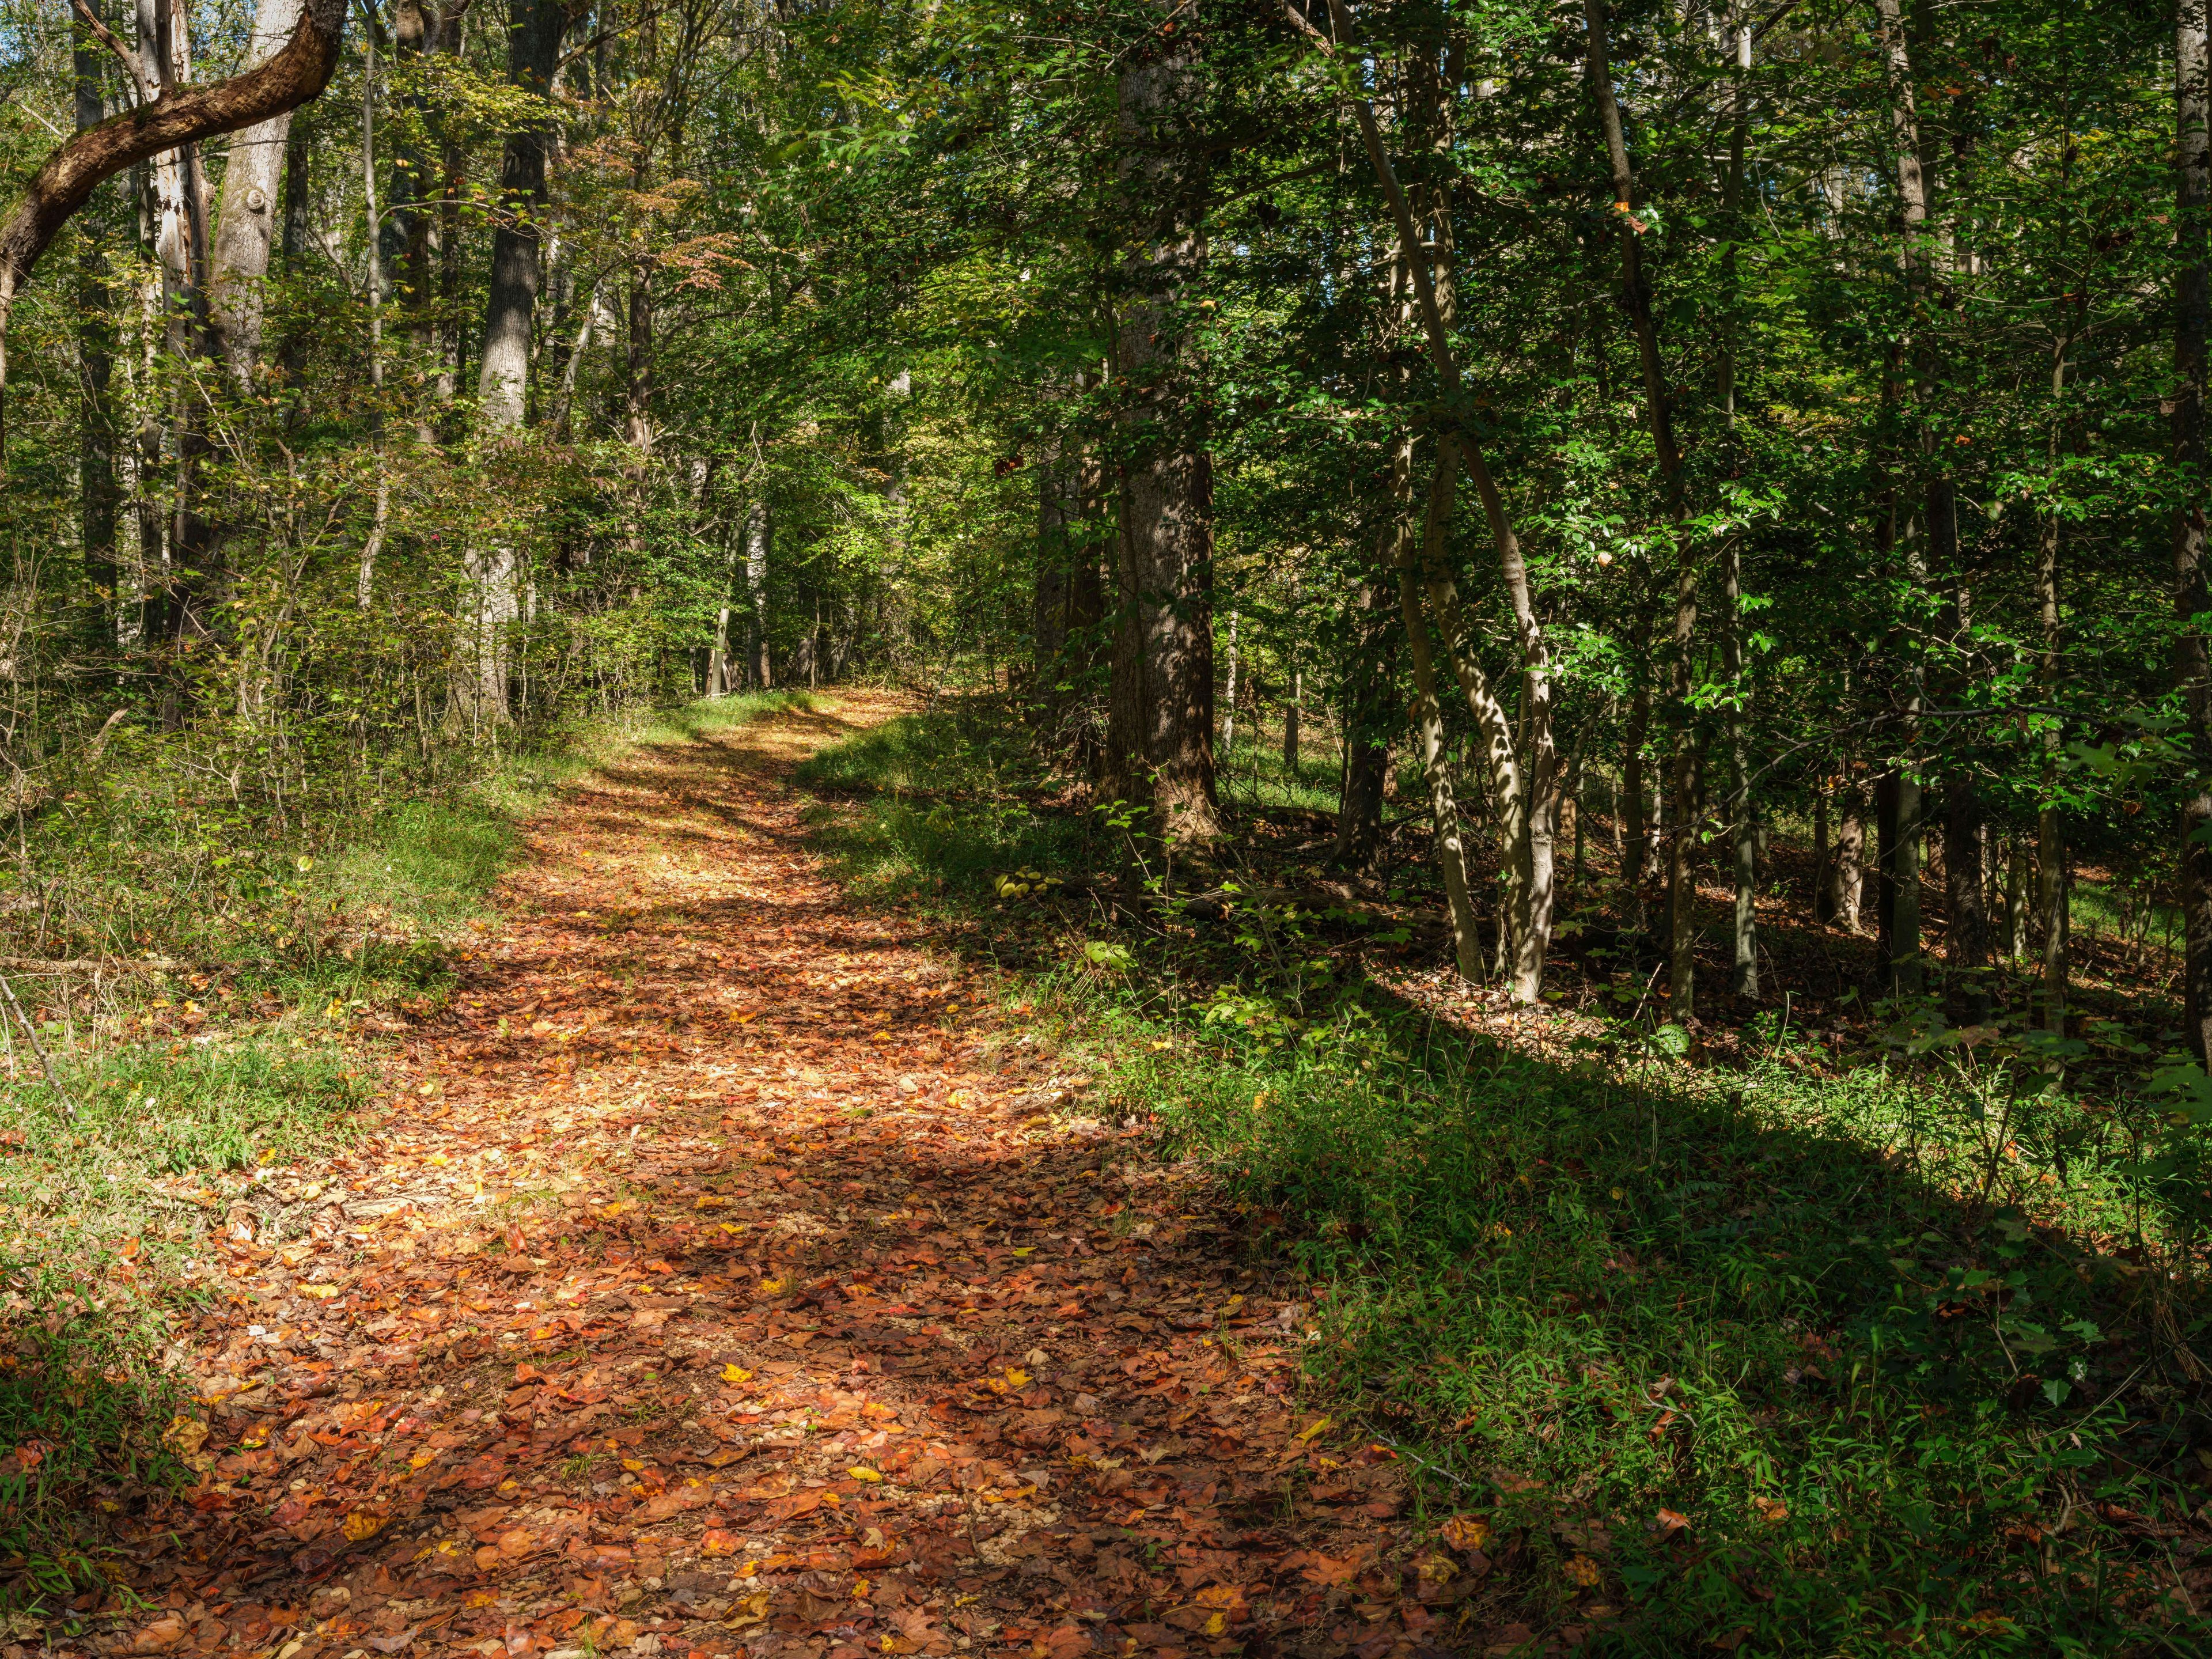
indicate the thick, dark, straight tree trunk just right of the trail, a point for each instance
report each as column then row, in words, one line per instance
column 1167, row 483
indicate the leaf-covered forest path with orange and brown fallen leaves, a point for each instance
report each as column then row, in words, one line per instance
column 711, row 1288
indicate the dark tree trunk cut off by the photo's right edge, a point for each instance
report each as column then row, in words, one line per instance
column 2193, row 662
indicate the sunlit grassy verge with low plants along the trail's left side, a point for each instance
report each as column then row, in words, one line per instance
column 200, row 1078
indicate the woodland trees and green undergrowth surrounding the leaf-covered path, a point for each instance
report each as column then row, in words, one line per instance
column 1665, row 541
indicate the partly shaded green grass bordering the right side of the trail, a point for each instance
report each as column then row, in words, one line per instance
column 1897, row 1333
